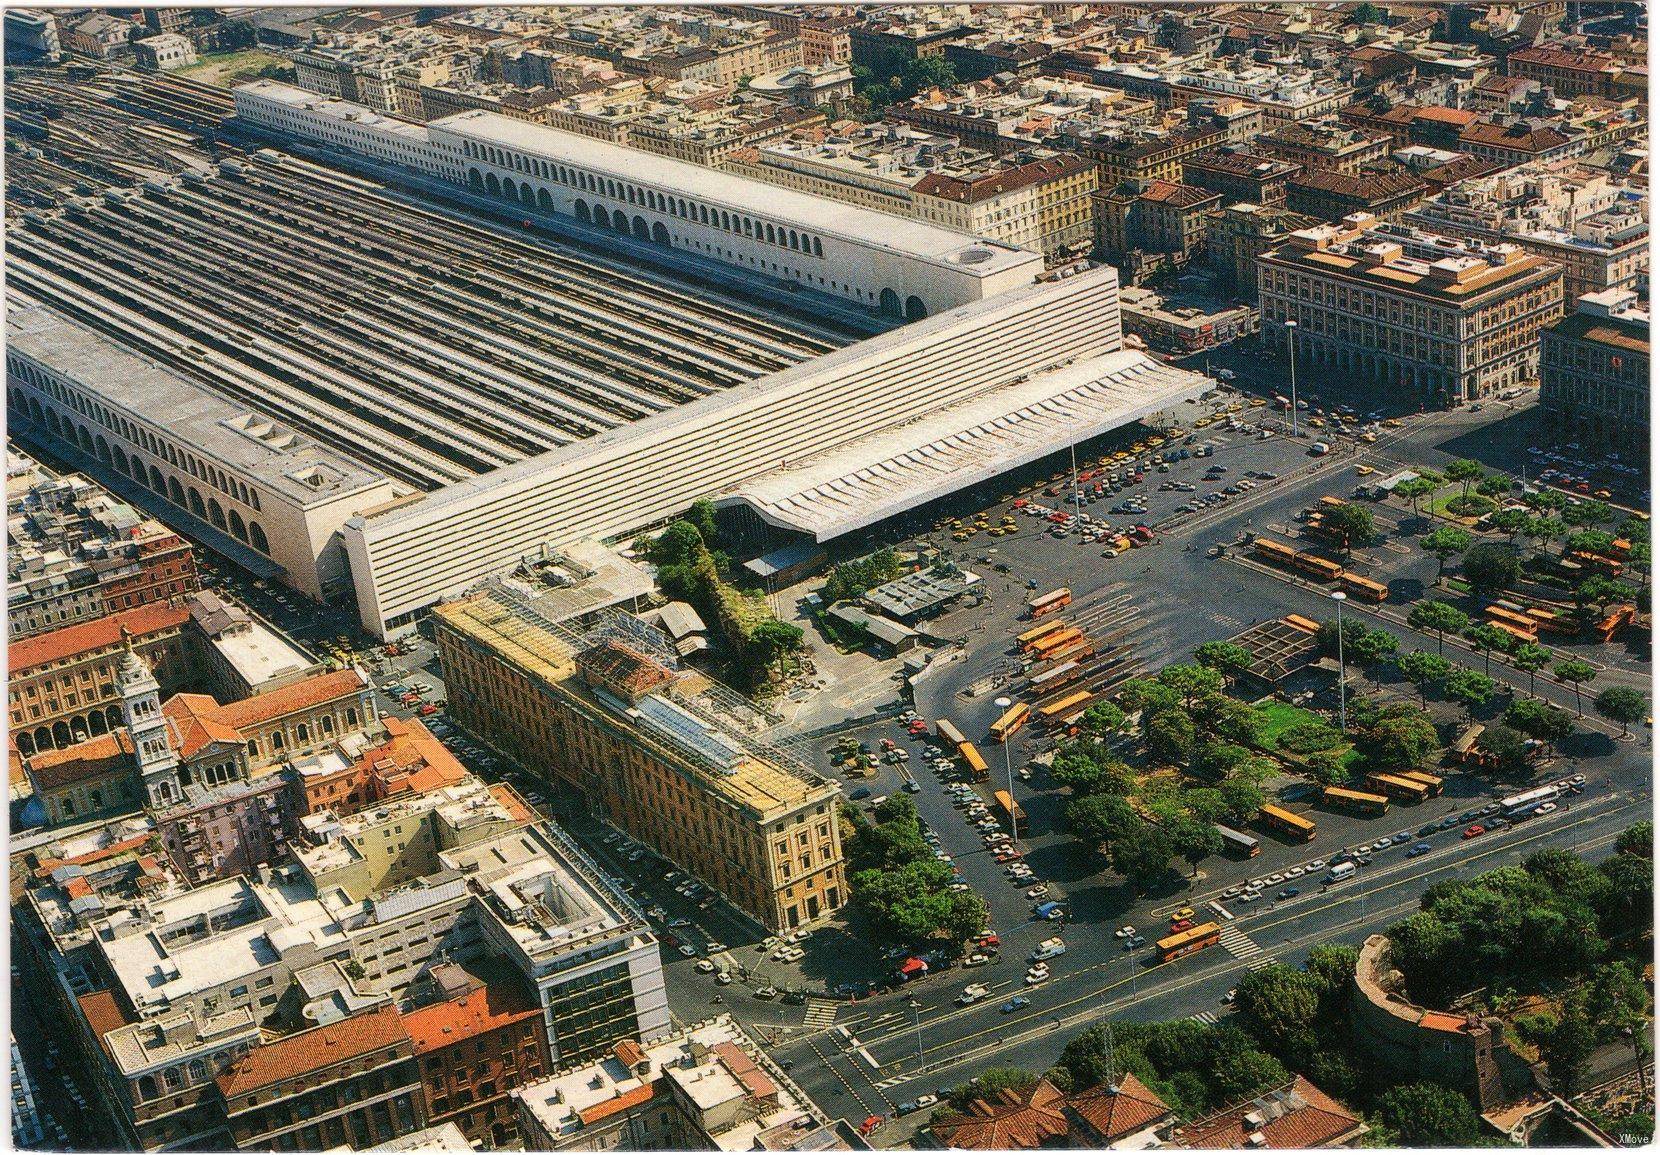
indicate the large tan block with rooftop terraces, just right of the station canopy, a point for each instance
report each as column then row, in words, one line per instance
column 1427, row 314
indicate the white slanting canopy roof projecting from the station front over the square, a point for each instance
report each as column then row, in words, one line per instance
column 899, row 469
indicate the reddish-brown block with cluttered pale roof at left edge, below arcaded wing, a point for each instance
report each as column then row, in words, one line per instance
column 79, row 553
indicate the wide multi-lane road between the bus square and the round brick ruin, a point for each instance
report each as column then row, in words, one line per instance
column 884, row 1051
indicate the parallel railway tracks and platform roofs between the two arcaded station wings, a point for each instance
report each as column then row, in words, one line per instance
column 429, row 348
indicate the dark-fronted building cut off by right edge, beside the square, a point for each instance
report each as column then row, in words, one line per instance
column 1594, row 373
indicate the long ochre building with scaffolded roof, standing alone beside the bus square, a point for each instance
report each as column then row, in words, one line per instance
column 625, row 733
